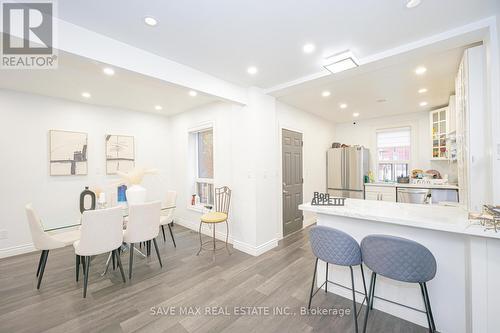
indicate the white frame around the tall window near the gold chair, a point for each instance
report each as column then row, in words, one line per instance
column 198, row 180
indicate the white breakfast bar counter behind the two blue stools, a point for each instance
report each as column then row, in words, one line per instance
column 466, row 256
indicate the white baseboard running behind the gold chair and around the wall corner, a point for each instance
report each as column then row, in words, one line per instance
column 220, row 235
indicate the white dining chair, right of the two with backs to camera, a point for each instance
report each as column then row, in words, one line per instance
column 143, row 226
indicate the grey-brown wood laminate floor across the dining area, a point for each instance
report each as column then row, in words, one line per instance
column 278, row 279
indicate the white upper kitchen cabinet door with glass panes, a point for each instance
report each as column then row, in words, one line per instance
column 439, row 131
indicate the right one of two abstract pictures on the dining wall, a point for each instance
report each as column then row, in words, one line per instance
column 120, row 153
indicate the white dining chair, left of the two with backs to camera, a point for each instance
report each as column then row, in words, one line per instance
column 101, row 232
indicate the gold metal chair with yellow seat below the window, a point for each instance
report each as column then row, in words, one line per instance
column 219, row 214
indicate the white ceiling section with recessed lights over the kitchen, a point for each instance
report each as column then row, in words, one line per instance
column 396, row 83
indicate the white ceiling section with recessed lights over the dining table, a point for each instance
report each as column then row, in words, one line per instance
column 125, row 89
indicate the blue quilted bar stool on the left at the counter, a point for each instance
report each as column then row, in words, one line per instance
column 338, row 248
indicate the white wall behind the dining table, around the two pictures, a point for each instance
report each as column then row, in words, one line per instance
column 24, row 124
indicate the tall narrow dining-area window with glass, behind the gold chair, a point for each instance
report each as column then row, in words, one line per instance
column 204, row 180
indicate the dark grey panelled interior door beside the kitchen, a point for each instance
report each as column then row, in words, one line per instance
column 292, row 181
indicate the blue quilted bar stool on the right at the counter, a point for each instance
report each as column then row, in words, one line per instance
column 402, row 260
